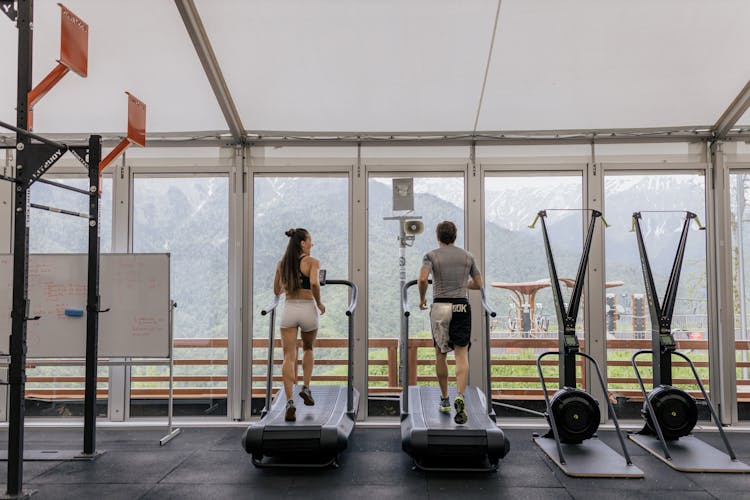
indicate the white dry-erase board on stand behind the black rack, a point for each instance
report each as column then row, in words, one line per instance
column 135, row 287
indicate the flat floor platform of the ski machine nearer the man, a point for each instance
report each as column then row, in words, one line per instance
column 591, row 458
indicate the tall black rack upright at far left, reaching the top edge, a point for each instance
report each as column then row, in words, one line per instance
column 17, row 369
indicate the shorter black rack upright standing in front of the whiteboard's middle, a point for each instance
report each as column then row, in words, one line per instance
column 92, row 316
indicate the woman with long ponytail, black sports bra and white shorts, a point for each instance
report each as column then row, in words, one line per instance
column 297, row 276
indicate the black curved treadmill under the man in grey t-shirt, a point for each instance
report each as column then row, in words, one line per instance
column 432, row 438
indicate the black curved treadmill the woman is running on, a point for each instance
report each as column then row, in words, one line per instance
column 321, row 431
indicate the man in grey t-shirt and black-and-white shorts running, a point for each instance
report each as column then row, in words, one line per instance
column 453, row 272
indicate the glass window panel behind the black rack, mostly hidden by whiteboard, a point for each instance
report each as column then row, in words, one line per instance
column 58, row 391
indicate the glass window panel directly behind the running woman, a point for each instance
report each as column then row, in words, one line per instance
column 320, row 205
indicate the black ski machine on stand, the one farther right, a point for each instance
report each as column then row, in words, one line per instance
column 671, row 413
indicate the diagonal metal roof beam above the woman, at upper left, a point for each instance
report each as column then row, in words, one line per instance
column 198, row 35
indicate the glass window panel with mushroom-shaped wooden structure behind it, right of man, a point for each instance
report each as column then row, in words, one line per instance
column 517, row 278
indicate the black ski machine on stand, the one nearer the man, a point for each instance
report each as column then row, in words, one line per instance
column 573, row 414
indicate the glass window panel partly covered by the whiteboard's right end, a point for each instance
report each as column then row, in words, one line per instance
column 189, row 218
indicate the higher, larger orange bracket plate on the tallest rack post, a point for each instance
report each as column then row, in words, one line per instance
column 74, row 56
